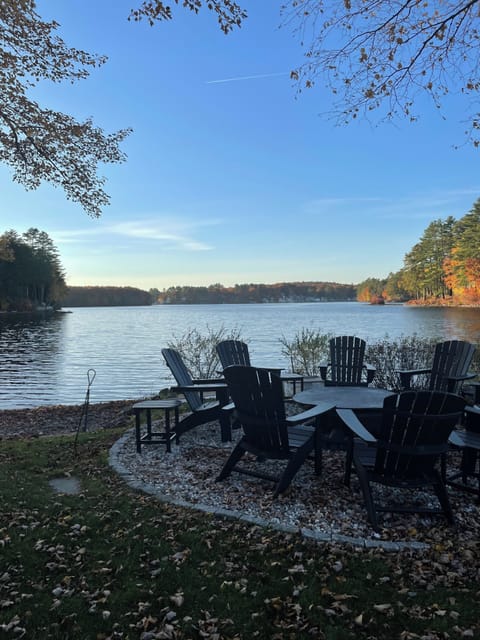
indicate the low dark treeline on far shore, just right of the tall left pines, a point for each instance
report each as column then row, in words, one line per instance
column 105, row 297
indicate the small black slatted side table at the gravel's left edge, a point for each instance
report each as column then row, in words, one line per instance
column 156, row 437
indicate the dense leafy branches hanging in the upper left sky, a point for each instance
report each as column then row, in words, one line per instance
column 42, row 144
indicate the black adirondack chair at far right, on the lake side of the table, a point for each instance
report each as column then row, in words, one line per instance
column 449, row 369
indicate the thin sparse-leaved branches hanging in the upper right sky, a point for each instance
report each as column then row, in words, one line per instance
column 383, row 55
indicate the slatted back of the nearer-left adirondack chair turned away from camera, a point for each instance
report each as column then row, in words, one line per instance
column 259, row 406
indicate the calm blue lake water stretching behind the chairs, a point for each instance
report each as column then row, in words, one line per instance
column 45, row 360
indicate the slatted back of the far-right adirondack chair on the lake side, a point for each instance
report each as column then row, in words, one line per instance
column 451, row 358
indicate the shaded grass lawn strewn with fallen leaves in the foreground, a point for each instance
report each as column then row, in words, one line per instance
column 111, row 563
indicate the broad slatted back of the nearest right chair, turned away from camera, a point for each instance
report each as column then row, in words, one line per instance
column 415, row 430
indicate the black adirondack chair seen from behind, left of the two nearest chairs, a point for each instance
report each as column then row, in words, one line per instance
column 268, row 434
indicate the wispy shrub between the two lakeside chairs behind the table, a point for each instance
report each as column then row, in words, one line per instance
column 306, row 351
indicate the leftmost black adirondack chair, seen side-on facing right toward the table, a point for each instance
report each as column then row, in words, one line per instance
column 201, row 412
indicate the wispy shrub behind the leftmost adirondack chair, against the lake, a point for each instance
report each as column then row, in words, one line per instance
column 198, row 349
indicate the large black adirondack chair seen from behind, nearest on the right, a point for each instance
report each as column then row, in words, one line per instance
column 413, row 439
